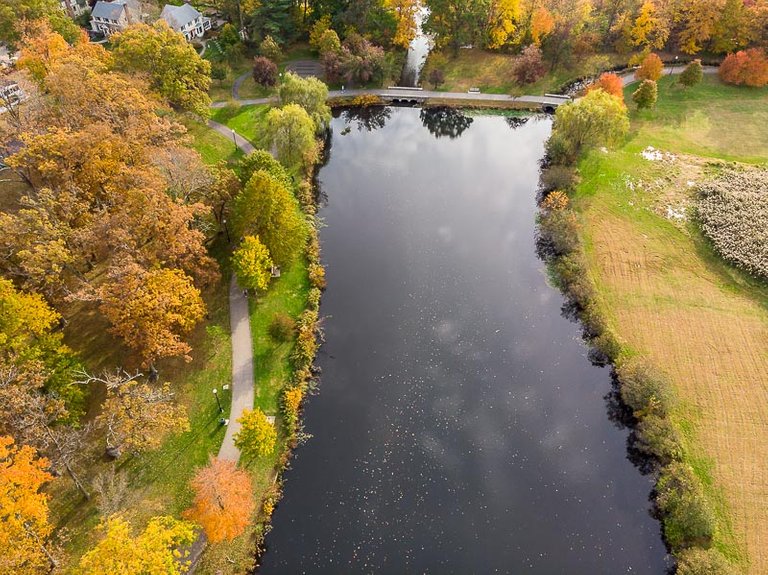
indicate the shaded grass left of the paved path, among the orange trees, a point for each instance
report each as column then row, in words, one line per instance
column 158, row 480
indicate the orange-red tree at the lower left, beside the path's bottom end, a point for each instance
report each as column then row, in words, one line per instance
column 223, row 501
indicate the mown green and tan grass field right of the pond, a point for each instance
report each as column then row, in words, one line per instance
column 669, row 297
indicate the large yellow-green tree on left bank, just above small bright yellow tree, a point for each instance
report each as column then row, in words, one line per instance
column 268, row 210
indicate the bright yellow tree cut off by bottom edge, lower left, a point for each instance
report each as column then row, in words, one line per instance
column 154, row 551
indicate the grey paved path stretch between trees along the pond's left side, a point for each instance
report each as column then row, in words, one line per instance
column 242, row 386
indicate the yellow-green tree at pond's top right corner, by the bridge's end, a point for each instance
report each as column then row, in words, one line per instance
column 598, row 119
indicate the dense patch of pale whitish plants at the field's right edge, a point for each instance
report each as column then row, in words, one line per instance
column 733, row 213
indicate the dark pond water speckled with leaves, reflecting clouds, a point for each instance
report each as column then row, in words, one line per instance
column 460, row 427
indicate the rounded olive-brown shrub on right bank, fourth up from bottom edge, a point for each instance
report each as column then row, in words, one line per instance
column 644, row 389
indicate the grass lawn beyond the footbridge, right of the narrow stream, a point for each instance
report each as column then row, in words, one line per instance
column 493, row 73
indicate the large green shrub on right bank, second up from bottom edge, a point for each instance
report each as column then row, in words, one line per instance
column 687, row 516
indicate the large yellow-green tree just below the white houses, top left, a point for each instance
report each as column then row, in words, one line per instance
column 174, row 67
